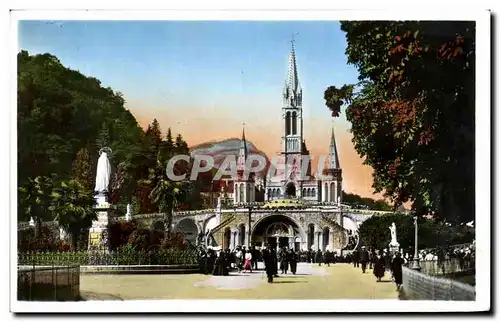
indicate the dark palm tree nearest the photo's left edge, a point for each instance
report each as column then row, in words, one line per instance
column 35, row 200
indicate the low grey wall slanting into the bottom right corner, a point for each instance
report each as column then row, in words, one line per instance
column 420, row 286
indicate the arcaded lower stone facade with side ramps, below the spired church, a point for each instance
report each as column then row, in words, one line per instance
column 314, row 226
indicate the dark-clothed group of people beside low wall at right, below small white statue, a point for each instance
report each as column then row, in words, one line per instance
column 380, row 261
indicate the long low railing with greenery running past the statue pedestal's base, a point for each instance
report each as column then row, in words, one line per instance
column 117, row 257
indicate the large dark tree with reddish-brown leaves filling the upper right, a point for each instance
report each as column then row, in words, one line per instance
column 412, row 113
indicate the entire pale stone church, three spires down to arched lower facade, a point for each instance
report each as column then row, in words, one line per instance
column 284, row 208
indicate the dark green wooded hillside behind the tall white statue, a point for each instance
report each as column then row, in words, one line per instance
column 64, row 119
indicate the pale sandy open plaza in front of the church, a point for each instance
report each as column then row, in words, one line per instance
column 339, row 281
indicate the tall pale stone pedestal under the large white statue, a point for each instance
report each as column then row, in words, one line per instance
column 98, row 233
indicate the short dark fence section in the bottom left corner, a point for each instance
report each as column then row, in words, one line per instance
column 54, row 283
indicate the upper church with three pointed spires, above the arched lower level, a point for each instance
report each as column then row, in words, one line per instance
column 288, row 182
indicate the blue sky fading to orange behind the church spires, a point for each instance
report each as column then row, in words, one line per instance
column 204, row 79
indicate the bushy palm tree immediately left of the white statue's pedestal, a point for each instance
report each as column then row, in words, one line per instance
column 74, row 209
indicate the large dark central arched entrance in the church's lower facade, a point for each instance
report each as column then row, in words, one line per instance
column 277, row 231
